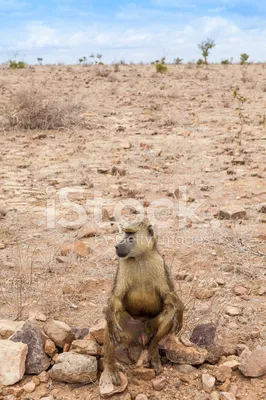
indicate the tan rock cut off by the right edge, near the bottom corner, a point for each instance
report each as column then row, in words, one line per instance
column 253, row 363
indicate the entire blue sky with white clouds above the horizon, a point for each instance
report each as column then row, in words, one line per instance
column 142, row 30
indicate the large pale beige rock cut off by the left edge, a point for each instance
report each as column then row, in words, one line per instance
column 12, row 361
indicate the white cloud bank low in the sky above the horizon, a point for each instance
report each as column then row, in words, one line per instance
column 138, row 42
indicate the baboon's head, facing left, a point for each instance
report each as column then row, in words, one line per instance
column 136, row 243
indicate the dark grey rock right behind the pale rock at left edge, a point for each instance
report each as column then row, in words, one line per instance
column 30, row 334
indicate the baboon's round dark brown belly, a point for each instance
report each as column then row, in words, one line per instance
column 143, row 301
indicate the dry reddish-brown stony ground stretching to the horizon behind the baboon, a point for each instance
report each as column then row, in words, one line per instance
column 176, row 132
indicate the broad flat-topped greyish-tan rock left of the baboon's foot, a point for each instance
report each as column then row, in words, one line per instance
column 74, row 368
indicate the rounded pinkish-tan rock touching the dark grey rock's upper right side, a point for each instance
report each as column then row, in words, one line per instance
column 59, row 332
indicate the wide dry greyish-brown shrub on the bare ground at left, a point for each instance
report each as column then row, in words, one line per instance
column 34, row 109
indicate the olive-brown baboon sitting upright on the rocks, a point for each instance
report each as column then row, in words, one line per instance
column 143, row 289
